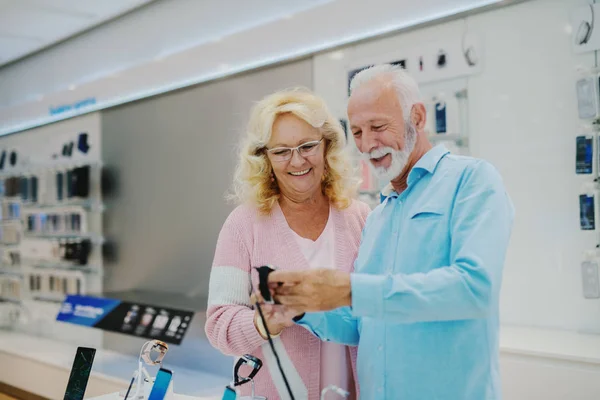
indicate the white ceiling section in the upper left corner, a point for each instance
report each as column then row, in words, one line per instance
column 27, row 26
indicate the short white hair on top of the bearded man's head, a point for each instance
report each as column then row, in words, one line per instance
column 406, row 87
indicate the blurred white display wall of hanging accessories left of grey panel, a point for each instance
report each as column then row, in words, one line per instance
column 51, row 226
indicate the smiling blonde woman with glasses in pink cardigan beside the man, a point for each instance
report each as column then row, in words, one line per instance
column 295, row 186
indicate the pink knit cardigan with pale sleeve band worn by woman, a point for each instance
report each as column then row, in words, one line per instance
column 247, row 240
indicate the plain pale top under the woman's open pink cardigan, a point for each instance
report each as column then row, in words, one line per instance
column 336, row 368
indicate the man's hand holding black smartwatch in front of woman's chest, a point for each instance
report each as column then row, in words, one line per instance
column 311, row 290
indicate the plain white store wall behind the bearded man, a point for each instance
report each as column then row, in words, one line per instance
column 522, row 118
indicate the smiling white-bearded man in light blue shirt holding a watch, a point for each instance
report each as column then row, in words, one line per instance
column 422, row 304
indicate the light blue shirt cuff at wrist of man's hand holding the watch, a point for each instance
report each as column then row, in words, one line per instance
column 367, row 294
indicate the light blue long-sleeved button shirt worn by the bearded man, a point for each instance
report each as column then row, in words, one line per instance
column 426, row 285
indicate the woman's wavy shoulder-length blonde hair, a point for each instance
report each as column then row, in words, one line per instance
column 252, row 178
